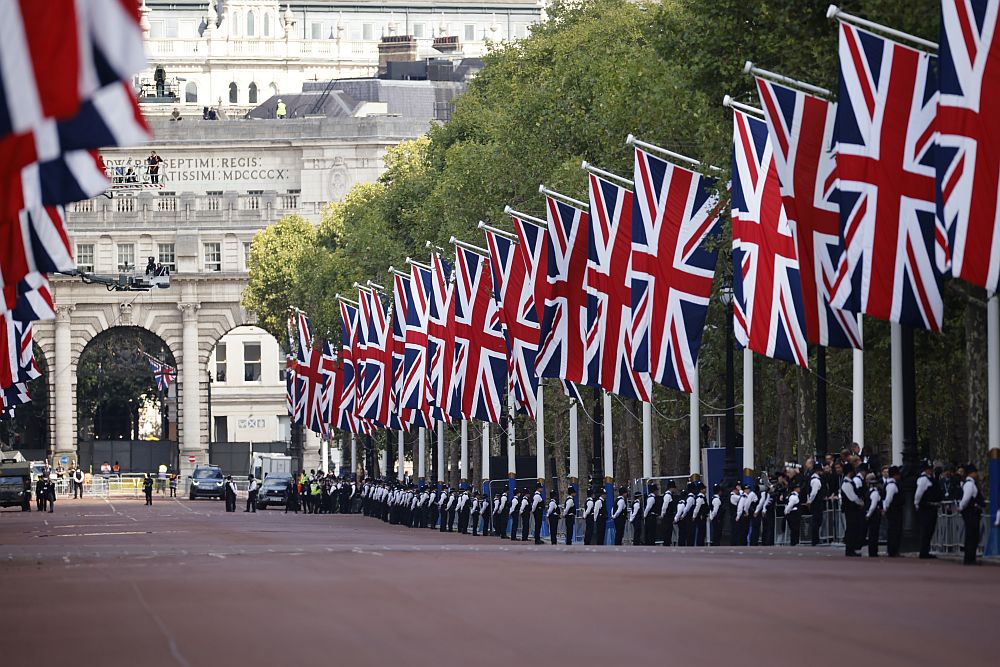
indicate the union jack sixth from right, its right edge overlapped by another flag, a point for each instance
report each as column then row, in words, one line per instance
column 609, row 252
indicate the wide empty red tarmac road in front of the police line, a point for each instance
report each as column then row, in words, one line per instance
column 184, row 583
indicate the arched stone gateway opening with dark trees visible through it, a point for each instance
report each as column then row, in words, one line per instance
column 127, row 401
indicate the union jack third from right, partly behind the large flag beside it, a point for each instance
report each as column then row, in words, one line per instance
column 801, row 131
